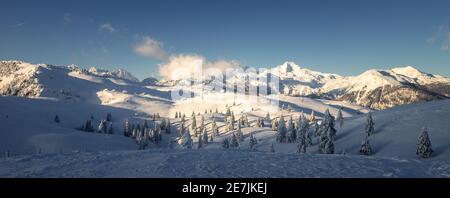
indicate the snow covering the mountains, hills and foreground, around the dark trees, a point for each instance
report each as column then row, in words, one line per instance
column 39, row 147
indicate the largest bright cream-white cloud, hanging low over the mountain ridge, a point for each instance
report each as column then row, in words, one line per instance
column 182, row 66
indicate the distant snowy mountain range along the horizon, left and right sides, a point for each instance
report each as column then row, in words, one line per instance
column 377, row 89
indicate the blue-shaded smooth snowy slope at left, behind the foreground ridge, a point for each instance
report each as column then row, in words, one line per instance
column 27, row 126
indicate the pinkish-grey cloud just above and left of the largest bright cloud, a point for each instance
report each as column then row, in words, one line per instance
column 151, row 48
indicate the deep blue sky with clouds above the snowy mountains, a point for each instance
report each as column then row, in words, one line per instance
column 344, row 37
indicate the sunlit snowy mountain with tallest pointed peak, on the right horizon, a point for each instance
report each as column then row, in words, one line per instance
column 377, row 89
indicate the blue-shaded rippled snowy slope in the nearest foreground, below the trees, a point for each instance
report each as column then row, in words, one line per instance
column 214, row 164
